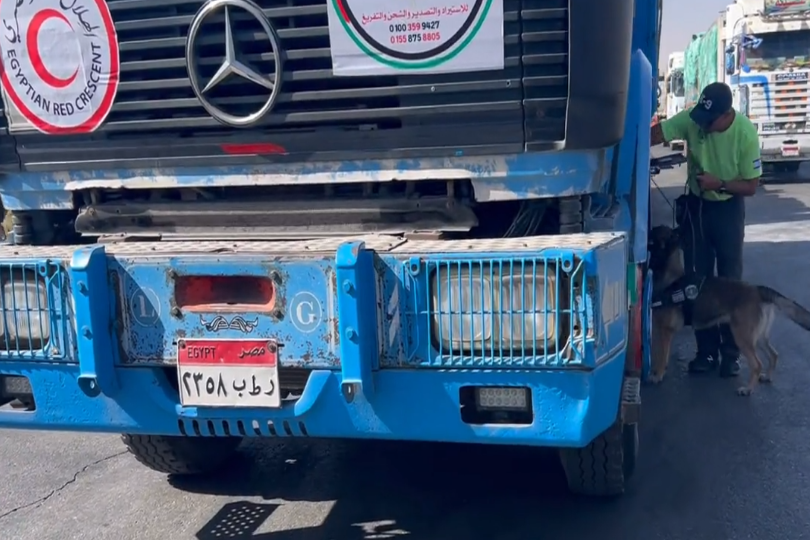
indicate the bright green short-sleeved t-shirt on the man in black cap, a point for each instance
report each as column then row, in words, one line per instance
column 730, row 155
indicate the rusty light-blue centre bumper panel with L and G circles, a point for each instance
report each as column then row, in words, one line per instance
column 301, row 316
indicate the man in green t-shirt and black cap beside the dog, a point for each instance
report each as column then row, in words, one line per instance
column 723, row 167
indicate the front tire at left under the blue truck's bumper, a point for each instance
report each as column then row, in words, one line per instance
column 181, row 455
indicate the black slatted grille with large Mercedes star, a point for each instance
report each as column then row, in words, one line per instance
column 158, row 121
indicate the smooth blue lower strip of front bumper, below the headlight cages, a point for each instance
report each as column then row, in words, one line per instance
column 569, row 408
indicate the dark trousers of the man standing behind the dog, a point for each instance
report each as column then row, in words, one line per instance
column 717, row 234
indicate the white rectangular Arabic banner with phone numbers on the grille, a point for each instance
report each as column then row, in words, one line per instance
column 380, row 37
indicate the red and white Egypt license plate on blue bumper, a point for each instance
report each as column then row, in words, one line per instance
column 228, row 373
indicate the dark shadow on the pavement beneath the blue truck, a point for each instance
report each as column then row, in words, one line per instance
column 387, row 490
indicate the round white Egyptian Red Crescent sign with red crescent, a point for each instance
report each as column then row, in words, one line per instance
column 60, row 62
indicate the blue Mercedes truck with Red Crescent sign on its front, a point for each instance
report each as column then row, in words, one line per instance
column 412, row 255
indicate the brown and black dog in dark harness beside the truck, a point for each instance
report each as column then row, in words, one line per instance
column 748, row 309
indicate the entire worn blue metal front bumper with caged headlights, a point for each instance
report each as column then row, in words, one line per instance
column 373, row 370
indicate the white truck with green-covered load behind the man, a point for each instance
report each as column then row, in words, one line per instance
column 760, row 49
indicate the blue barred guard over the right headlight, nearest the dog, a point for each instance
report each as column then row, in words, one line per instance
column 510, row 313
